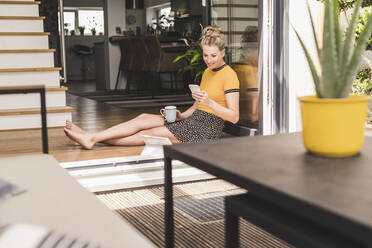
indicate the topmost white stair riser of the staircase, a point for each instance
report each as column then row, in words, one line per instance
column 19, row 8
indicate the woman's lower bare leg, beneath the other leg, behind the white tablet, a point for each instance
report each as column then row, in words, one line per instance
column 137, row 139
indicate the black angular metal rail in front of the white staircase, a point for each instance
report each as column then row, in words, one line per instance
column 41, row 90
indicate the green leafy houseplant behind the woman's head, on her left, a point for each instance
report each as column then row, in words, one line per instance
column 194, row 58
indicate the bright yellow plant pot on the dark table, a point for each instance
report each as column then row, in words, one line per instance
column 333, row 127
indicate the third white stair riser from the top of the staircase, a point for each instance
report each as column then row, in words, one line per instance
column 13, row 42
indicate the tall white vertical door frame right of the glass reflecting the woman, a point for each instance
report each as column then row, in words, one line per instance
column 273, row 67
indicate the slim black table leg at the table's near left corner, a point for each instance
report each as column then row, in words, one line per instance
column 168, row 196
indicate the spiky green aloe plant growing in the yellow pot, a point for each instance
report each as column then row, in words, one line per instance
column 337, row 61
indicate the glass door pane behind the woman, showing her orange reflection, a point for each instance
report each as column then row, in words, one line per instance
column 240, row 21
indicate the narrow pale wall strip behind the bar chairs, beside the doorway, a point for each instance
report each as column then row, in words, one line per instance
column 114, row 17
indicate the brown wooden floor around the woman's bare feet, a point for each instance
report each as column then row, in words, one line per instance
column 90, row 115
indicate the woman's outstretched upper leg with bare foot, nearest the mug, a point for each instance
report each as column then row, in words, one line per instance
column 141, row 122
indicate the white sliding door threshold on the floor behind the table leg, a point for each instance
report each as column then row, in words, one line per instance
column 115, row 174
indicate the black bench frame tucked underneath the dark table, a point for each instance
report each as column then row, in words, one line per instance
column 292, row 228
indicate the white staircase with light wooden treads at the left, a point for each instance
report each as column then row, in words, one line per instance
column 26, row 60
